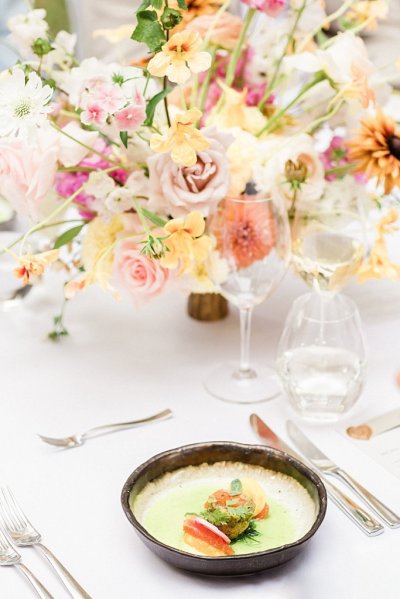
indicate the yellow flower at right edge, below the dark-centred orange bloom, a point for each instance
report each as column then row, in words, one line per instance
column 378, row 265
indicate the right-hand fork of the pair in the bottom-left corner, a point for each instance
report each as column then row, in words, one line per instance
column 24, row 534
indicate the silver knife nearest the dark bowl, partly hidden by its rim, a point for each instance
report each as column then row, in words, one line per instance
column 350, row 508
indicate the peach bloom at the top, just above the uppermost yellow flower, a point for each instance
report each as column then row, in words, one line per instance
column 225, row 30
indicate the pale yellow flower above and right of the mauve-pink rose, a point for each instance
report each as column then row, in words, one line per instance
column 234, row 112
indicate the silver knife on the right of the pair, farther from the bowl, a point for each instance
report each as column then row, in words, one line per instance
column 323, row 463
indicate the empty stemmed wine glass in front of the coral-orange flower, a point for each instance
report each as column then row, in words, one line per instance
column 252, row 238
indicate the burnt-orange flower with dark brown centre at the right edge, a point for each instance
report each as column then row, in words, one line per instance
column 376, row 150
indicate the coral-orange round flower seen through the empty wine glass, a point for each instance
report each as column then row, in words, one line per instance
column 245, row 231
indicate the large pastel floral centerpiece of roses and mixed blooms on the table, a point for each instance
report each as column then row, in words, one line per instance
column 122, row 164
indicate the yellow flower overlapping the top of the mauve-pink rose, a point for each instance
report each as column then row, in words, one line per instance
column 182, row 139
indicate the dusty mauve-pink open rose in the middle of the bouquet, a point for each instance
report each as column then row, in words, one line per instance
column 176, row 190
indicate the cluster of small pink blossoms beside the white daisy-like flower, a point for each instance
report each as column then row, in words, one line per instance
column 67, row 183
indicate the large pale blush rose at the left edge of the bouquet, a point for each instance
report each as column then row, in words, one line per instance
column 27, row 173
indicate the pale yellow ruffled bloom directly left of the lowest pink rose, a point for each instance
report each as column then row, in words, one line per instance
column 97, row 254
